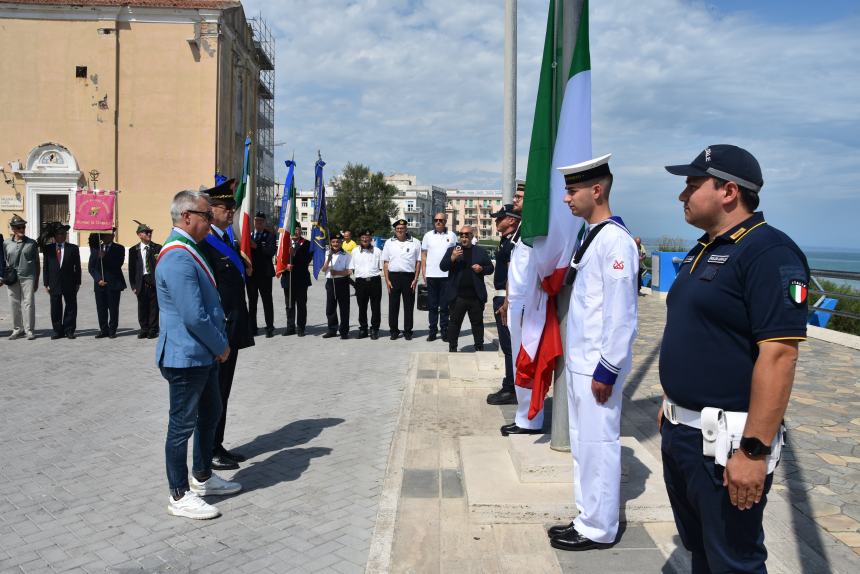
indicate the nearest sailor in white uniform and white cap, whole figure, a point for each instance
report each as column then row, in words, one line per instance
column 601, row 327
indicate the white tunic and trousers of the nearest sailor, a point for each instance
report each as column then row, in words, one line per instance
column 601, row 326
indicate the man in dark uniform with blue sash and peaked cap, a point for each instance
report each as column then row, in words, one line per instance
column 230, row 272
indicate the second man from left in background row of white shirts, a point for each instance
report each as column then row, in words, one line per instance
column 366, row 264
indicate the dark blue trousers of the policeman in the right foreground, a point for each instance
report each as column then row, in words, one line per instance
column 721, row 537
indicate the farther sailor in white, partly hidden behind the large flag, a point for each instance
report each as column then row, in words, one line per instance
column 522, row 284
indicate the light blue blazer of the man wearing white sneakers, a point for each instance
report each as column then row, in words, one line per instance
column 192, row 331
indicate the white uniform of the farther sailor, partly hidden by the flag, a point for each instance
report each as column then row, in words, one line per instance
column 522, row 280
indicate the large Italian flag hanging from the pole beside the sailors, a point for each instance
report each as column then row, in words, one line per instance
column 561, row 135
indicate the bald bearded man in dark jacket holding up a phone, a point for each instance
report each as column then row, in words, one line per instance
column 465, row 292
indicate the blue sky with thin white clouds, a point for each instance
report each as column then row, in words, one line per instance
column 416, row 86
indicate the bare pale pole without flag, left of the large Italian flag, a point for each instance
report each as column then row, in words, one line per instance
column 509, row 137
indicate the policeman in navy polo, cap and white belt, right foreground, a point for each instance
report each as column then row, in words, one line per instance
column 736, row 313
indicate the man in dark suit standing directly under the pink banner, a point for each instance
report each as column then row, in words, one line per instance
column 105, row 267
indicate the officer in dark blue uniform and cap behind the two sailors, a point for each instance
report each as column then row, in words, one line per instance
column 506, row 225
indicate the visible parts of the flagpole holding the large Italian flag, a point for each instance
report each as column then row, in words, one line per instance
column 566, row 25
